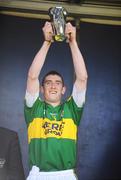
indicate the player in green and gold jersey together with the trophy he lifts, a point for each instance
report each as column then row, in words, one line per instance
column 52, row 121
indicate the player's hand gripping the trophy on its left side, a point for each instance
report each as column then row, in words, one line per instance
column 48, row 32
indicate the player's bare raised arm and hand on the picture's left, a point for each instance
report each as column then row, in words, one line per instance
column 38, row 62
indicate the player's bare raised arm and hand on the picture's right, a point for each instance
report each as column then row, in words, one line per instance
column 78, row 61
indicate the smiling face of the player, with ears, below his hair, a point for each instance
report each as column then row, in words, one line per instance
column 53, row 89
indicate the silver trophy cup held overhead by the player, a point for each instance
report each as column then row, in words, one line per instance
column 58, row 20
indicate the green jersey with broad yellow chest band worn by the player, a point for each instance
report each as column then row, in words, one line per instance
column 52, row 134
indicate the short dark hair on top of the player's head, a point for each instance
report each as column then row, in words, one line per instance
column 52, row 72
